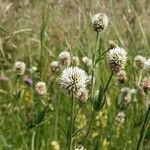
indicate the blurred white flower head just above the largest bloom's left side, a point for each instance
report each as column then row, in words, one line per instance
column 65, row 58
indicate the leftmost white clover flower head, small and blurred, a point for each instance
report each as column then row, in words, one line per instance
column 19, row 67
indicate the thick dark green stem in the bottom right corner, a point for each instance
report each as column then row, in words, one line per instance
column 143, row 130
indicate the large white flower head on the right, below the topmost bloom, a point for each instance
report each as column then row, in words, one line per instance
column 117, row 58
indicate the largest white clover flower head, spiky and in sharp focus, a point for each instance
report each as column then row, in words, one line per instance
column 73, row 78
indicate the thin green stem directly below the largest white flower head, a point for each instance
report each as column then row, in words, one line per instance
column 71, row 123
